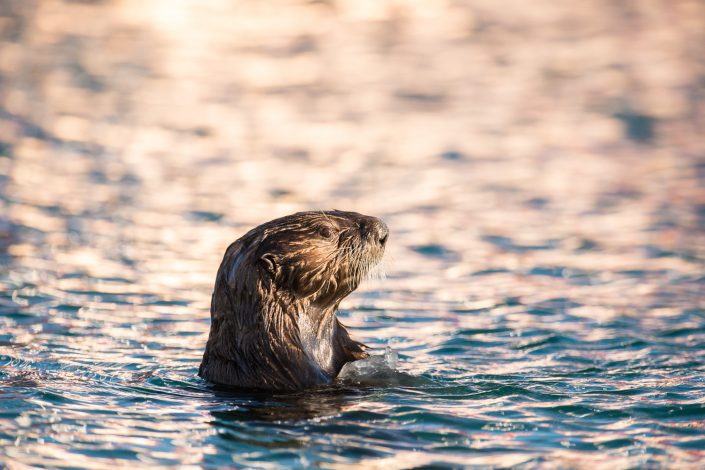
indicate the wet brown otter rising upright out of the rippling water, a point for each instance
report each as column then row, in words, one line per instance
column 273, row 311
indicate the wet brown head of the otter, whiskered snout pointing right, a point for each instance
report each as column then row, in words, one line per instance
column 321, row 256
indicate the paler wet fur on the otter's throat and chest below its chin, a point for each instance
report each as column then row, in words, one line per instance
column 317, row 331
